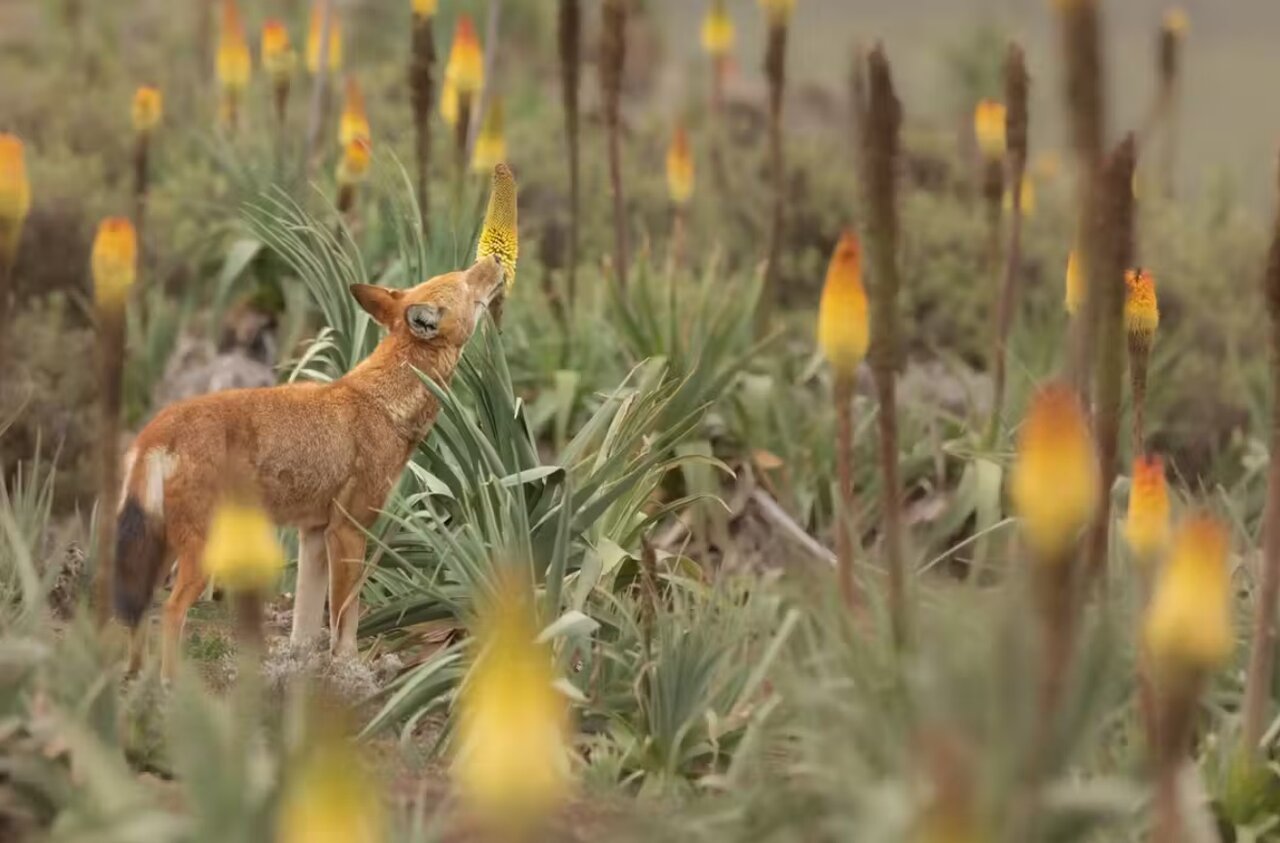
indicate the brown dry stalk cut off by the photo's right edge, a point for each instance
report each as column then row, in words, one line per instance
column 1258, row 689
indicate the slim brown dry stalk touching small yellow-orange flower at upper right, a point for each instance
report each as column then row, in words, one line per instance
column 1017, row 123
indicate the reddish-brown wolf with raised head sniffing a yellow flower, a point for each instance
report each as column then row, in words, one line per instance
column 321, row 457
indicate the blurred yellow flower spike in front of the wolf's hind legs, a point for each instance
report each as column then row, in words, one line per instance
column 241, row 553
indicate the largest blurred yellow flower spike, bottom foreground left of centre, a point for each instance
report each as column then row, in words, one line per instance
column 513, row 759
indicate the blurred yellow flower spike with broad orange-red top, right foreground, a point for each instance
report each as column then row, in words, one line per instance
column 1055, row 478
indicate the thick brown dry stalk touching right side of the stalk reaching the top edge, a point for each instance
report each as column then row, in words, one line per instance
column 1107, row 296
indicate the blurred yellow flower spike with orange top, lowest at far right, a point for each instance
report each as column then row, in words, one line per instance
column 1188, row 625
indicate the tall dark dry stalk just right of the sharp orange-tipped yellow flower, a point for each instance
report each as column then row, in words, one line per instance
column 880, row 145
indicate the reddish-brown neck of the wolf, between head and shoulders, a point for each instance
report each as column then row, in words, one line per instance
column 387, row 379
